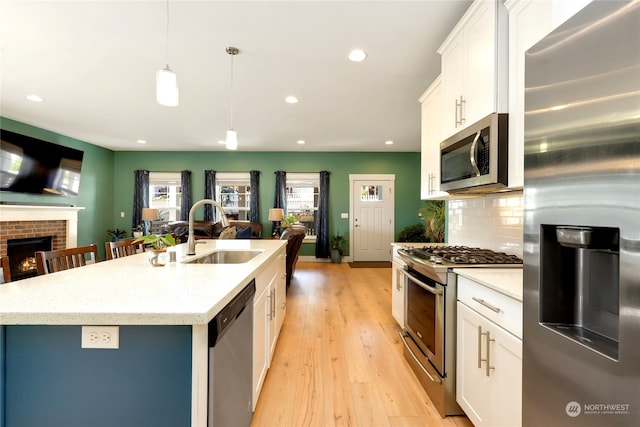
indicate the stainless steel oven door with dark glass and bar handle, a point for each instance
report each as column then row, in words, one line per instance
column 424, row 316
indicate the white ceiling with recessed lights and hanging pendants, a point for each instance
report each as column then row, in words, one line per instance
column 94, row 62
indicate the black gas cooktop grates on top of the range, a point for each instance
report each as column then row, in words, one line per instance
column 462, row 255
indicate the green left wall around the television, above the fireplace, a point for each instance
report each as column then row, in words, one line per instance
column 96, row 189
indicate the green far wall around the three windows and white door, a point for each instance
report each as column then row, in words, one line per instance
column 405, row 166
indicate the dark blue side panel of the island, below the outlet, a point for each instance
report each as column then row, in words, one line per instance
column 50, row 380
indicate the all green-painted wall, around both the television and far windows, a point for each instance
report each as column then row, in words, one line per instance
column 106, row 186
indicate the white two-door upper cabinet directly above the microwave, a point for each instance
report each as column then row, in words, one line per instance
column 474, row 67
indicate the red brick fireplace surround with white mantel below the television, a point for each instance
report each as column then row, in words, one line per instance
column 25, row 221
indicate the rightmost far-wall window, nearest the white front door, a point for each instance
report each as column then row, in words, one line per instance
column 302, row 198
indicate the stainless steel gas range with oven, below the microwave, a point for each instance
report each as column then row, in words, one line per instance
column 430, row 317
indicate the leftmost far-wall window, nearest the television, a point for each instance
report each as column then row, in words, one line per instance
column 165, row 194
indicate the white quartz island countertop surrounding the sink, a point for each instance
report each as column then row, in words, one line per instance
column 129, row 291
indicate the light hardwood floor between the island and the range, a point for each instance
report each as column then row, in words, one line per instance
column 339, row 361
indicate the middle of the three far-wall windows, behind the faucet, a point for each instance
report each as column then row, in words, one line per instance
column 233, row 192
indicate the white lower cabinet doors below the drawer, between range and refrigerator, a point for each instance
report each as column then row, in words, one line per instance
column 489, row 371
